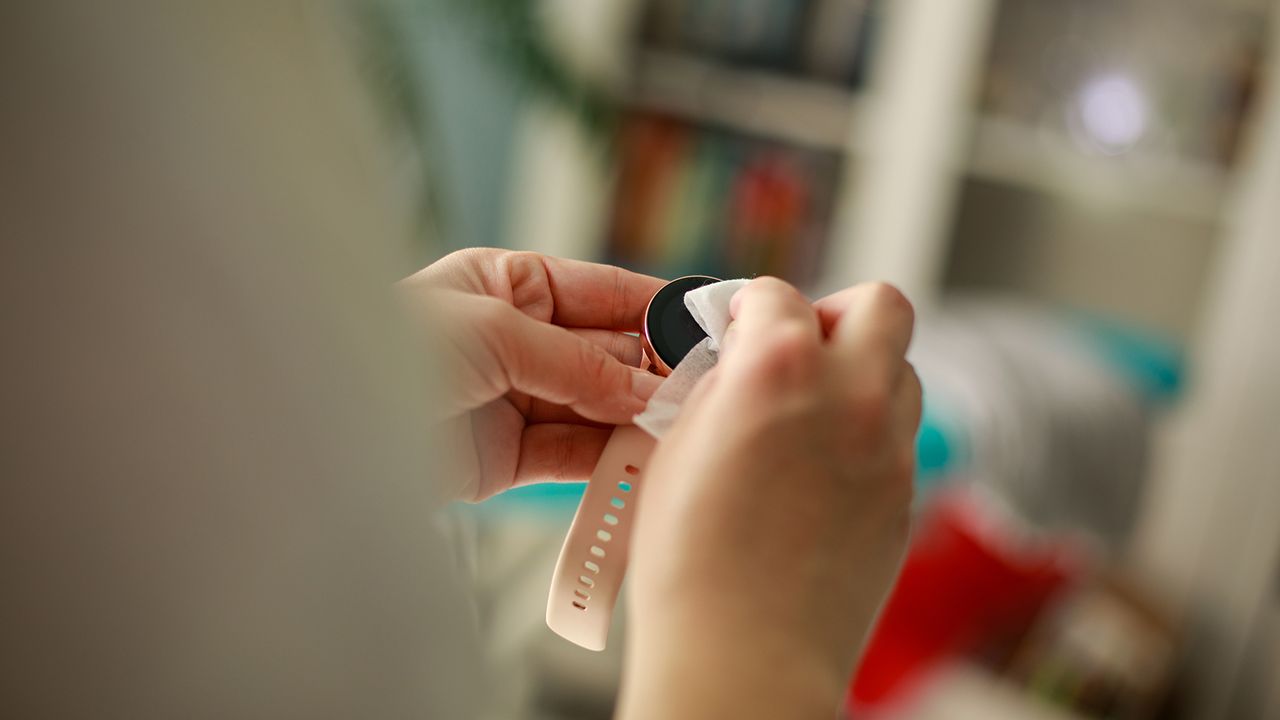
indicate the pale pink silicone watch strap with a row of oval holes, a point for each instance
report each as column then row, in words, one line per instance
column 595, row 558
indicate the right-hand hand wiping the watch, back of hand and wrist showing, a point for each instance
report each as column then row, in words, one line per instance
column 775, row 514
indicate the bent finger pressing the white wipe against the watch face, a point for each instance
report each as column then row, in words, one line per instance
column 766, row 308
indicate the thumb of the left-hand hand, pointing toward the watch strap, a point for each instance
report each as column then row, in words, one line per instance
column 555, row 364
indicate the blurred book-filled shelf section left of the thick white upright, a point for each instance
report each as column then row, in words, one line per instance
column 770, row 104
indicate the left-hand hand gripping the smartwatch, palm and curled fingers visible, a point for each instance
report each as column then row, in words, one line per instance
column 542, row 366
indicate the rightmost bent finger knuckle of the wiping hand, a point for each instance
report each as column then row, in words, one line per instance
column 872, row 321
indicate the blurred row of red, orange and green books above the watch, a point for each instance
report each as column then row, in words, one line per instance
column 694, row 199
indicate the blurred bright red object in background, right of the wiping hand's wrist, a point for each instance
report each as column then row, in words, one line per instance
column 970, row 576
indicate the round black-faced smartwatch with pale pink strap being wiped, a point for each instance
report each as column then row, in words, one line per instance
column 595, row 558
